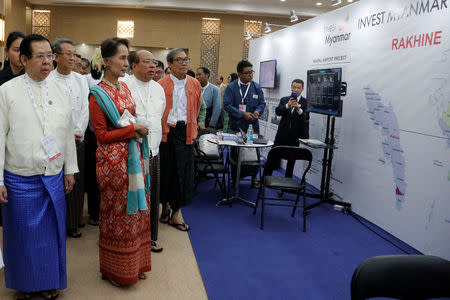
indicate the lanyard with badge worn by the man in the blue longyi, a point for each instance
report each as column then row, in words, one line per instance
column 48, row 141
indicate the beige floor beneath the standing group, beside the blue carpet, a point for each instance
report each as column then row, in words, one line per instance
column 175, row 273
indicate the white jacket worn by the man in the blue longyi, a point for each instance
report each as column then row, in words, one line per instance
column 22, row 127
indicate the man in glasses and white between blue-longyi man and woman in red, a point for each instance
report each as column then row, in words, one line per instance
column 77, row 87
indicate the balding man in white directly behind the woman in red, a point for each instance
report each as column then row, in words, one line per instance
column 150, row 104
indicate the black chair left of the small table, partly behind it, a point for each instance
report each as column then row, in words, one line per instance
column 210, row 164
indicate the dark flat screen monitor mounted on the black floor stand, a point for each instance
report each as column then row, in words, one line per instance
column 324, row 91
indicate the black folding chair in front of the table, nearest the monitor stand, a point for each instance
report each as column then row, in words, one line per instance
column 286, row 184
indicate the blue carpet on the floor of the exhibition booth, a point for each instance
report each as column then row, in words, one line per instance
column 239, row 261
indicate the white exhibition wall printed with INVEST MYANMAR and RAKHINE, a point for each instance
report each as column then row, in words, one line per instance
column 394, row 136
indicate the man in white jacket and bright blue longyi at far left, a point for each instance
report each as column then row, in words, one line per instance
column 37, row 163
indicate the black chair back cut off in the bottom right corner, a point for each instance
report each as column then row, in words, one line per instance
column 401, row 277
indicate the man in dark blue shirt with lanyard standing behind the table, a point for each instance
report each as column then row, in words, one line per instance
column 244, row 102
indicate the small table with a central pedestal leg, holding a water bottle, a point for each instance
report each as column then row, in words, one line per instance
column 239, row 146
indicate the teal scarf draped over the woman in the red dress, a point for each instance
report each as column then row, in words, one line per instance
column 136, row 199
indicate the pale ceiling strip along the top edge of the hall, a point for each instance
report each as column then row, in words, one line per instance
column 251, row 7
